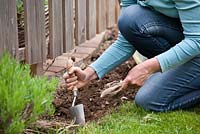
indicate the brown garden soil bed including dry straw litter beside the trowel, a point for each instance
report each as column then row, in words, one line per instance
column 95, row 107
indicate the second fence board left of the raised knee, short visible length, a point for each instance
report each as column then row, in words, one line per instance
column 110, row 13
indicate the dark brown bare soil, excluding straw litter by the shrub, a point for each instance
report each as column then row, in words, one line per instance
column 95, row 106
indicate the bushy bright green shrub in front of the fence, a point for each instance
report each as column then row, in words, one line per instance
column 22, row 98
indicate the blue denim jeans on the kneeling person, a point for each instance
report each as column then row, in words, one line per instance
column 152, row 33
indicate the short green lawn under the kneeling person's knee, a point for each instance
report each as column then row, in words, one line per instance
column 130, row 119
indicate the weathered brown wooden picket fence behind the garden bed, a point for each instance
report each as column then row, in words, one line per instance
column 70, row 23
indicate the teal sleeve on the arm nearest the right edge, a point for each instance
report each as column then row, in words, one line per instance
column 189, row 47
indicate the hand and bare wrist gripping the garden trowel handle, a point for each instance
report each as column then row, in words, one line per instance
column 78, row 77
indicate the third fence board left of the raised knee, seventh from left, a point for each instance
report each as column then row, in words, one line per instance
column 101, row 15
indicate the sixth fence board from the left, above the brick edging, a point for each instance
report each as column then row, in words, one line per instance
column 91, row 18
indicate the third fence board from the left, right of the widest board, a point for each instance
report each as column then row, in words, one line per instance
column 56, row 28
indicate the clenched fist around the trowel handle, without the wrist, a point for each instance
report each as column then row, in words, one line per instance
column 75, row 77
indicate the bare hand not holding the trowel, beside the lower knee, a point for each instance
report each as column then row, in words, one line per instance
column 140, row 73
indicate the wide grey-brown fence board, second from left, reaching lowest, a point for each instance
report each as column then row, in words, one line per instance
column 34, row 31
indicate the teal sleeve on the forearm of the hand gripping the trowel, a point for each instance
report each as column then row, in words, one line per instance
column 116, row 54
